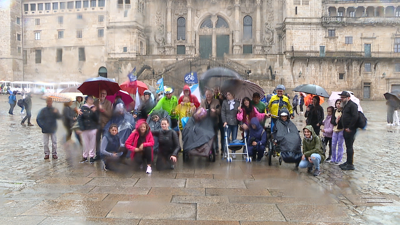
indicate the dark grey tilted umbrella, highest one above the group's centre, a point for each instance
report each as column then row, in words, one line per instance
column 216, row 77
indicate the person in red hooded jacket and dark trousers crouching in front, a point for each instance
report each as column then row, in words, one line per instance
column 141, row 143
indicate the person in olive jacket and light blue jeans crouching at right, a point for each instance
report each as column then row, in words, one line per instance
column 312, row 151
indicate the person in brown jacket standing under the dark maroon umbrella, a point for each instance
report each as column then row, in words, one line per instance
column 105, row 108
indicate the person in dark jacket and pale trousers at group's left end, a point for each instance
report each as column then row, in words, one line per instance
column 47, row 120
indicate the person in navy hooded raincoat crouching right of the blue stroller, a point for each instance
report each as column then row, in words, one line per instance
column 257, row 140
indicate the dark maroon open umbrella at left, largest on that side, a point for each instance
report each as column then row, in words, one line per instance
column 93, row 86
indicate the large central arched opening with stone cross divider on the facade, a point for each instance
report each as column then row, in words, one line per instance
column 214, row 37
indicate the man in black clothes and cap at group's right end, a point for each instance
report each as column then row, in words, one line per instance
column 348, row 122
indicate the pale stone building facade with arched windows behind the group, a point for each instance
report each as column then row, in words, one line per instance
column 337, row 44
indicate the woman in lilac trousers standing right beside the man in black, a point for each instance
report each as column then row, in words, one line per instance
column 337, row 135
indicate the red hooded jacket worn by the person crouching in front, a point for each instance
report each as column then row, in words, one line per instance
column 131, row 142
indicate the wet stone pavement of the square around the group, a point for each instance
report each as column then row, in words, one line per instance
column 64, row 191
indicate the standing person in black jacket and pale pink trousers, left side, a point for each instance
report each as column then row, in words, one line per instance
column 88, row 125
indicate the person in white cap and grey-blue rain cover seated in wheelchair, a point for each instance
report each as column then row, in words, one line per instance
column 286, row 137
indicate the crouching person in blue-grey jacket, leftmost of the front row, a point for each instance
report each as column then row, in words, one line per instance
column 110, row 148
